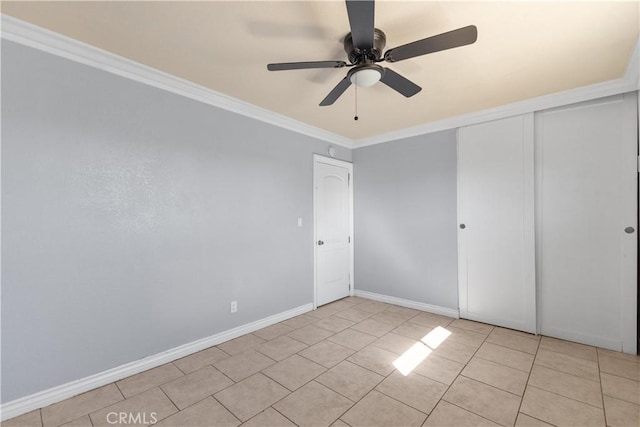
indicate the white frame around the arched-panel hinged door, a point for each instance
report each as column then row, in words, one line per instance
column 317, row 158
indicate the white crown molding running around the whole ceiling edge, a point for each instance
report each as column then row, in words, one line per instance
column 27, row 34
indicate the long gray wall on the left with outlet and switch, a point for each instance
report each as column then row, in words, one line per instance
column 131, row 217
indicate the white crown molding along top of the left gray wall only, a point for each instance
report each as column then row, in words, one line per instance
column 27, row 34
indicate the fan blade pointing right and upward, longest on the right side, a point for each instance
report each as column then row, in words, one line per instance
column 456, row 38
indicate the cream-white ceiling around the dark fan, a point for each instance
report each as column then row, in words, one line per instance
column 524, row 50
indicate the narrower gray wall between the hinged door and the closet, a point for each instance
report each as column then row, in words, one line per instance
column 405, row 219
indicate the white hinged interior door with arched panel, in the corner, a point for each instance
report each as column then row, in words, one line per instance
column 333, row 201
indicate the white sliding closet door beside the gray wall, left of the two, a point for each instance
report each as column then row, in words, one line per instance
column 496, row 248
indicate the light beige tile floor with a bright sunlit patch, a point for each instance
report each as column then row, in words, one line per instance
column 335, row 366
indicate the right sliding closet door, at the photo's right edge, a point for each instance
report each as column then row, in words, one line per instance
column 586, row 197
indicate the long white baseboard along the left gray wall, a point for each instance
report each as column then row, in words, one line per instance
column 56, row 394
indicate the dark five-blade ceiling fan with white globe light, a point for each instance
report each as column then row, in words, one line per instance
column 364, row 46
